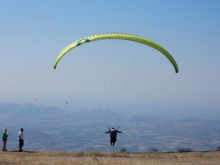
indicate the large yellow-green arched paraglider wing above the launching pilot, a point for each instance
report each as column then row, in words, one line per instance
column 121, row 36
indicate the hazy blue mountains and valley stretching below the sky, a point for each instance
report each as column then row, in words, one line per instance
column 84, row 130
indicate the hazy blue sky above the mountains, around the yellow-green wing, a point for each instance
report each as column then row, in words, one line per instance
column 104, row 74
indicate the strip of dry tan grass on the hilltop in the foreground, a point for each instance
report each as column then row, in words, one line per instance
column 113, row 158
